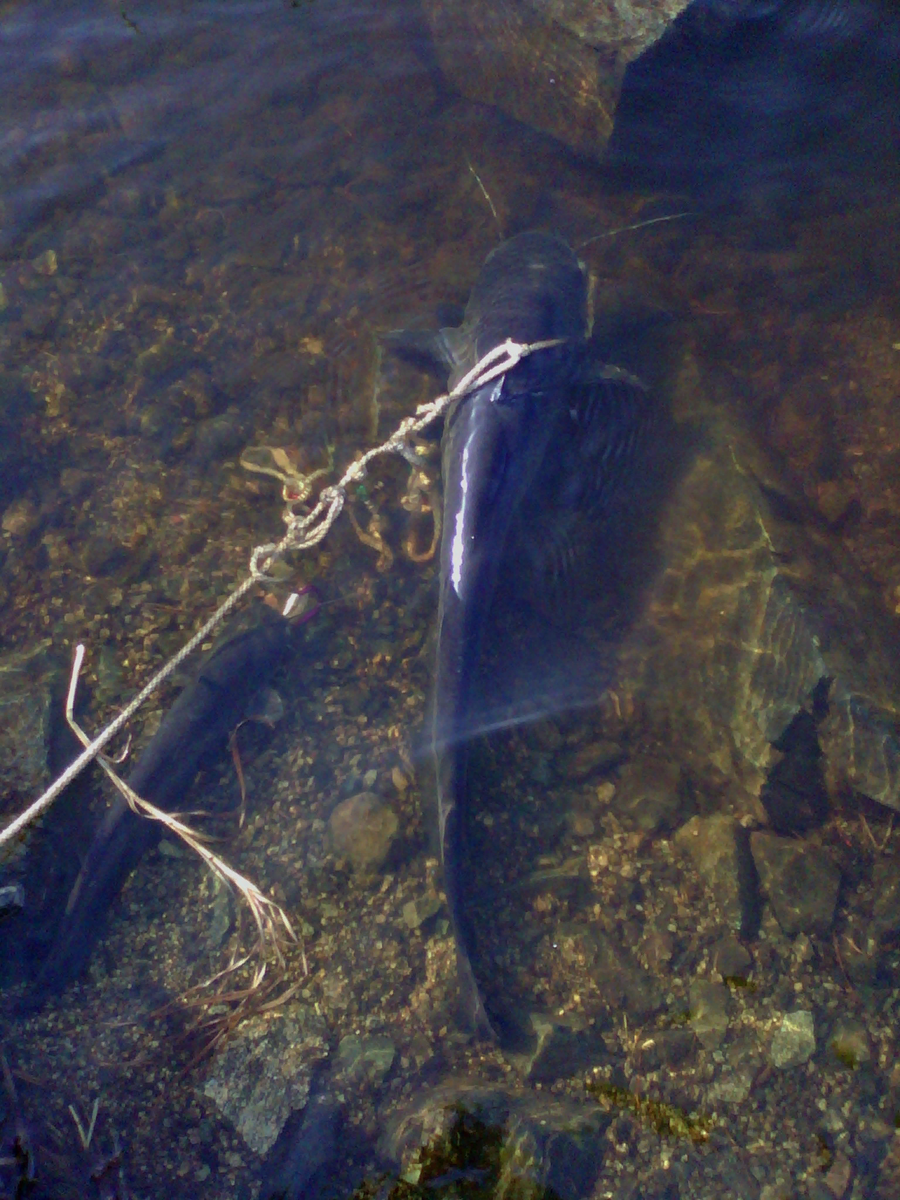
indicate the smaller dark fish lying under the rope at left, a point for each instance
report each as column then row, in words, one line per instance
column 195, row 728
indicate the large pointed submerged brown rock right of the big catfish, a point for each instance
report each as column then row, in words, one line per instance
column 757, row 616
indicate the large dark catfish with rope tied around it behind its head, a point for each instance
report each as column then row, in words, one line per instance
column 495, row 440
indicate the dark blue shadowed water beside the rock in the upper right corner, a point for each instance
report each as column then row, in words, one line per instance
column 767, row 101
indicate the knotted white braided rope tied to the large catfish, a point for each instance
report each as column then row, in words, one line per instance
column 303, row 533
